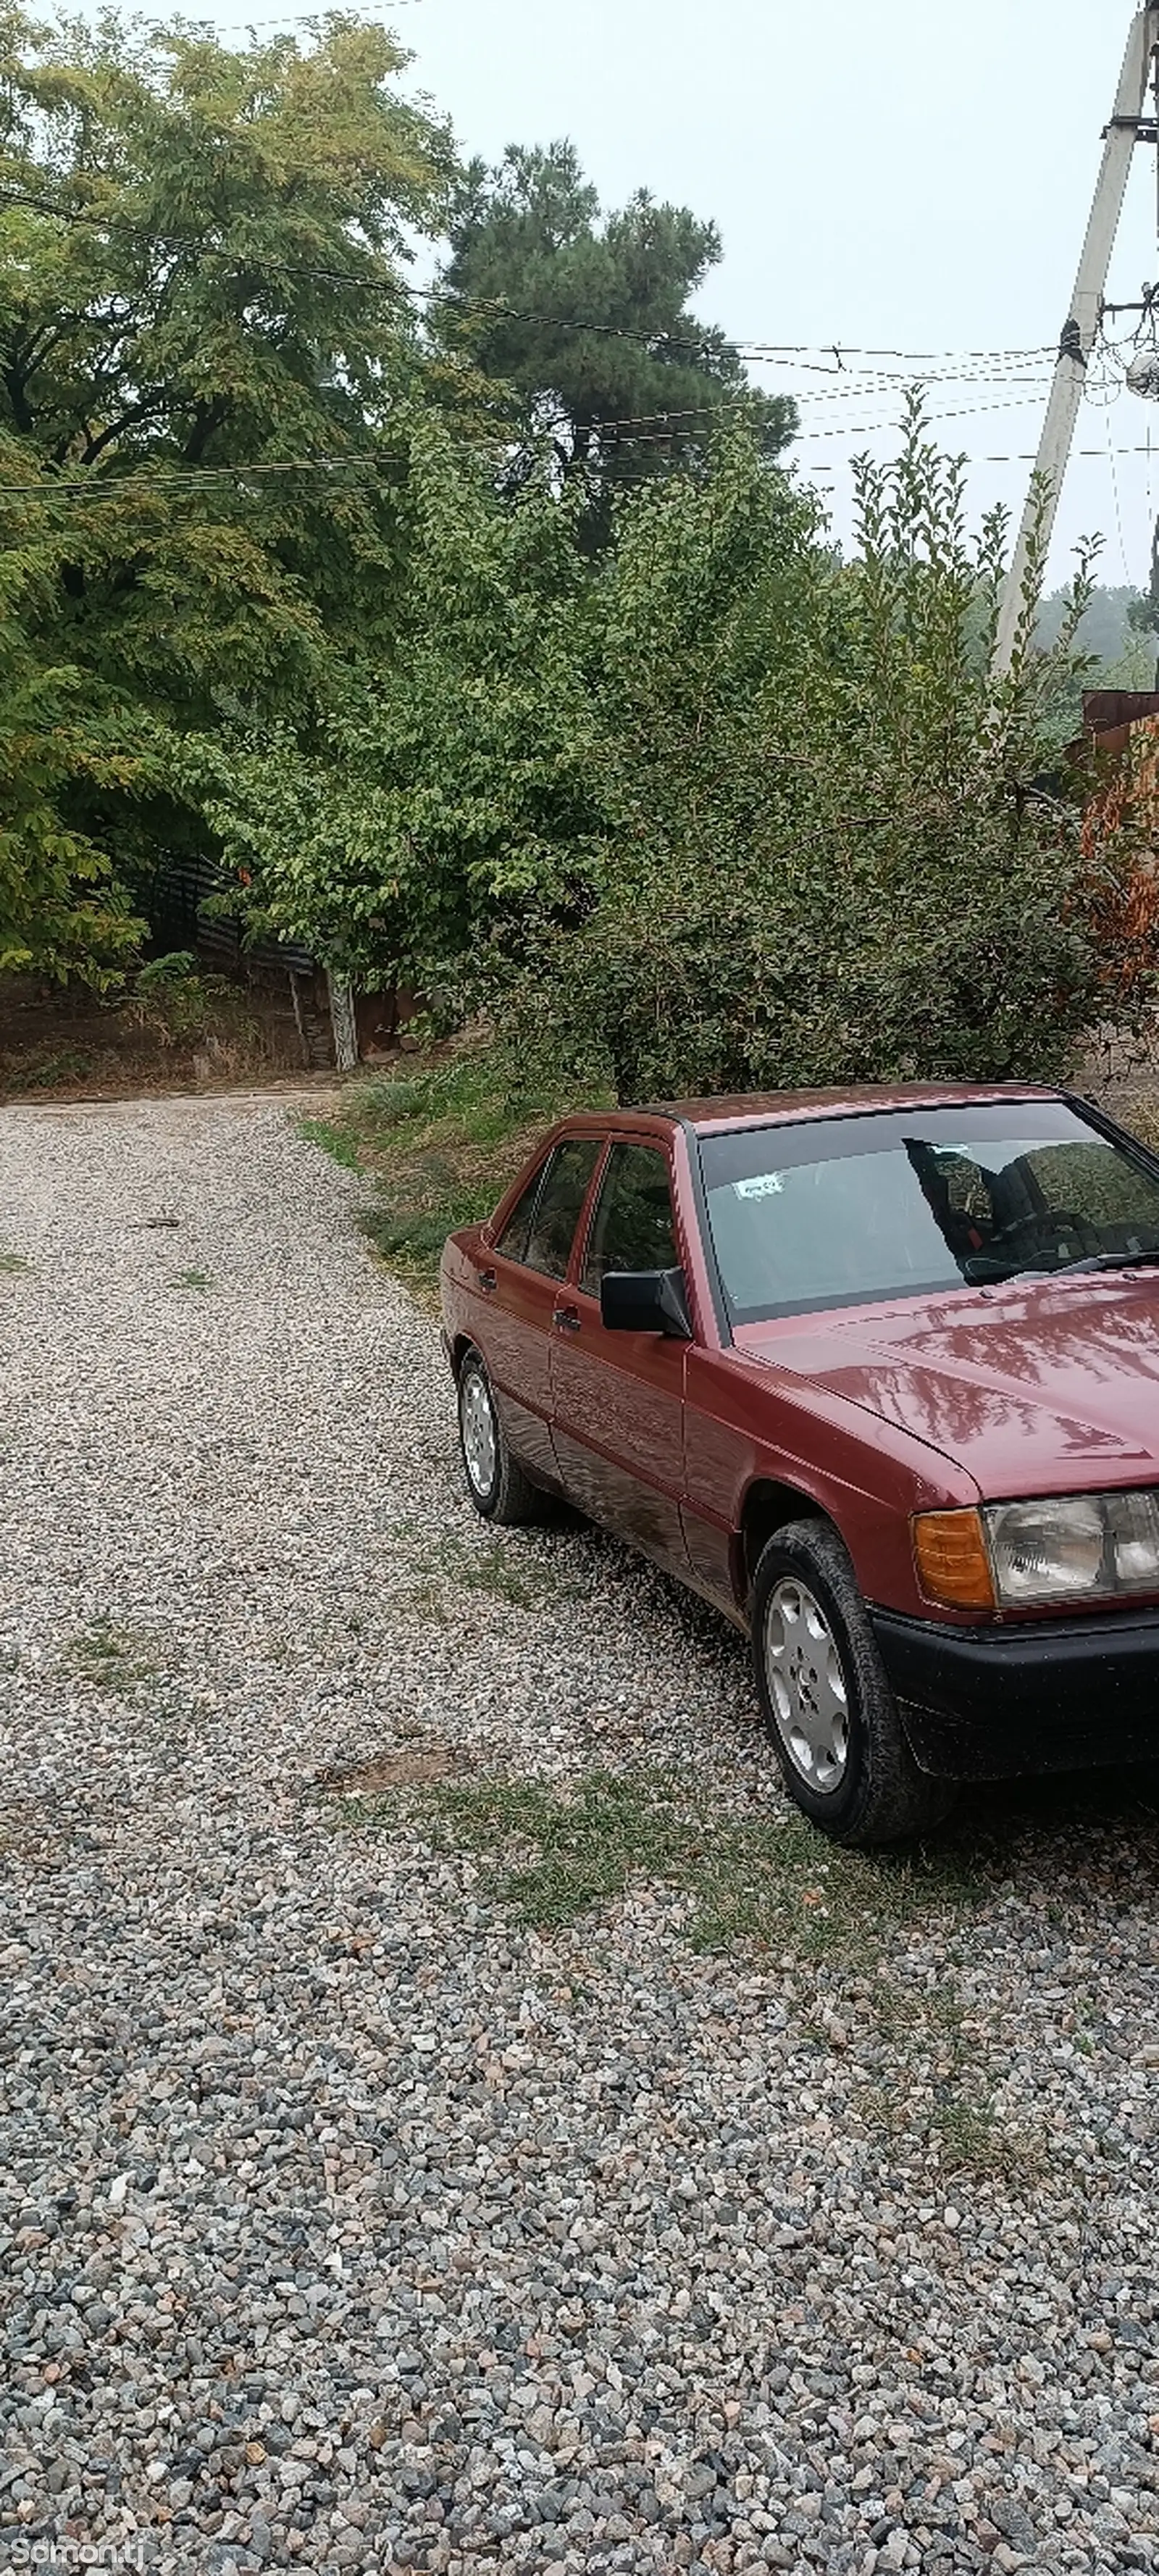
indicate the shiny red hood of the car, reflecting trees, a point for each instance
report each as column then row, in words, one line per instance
column 1034, row 1387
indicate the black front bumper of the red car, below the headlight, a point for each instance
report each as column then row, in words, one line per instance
column 995, row 1704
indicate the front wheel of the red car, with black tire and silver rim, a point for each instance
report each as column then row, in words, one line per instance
column 828, row 1701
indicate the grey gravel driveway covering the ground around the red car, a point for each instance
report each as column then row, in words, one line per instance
column 352, row 2224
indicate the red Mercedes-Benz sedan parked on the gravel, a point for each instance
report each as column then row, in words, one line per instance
column 880, row 1377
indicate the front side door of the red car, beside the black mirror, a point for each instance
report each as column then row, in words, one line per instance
column 617, row 1397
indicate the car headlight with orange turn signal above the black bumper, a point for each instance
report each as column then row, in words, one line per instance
column 1062, row 1549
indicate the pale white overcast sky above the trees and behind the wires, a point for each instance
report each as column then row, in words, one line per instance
column 898, row 176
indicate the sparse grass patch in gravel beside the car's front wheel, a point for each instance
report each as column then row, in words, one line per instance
column 558, row 1853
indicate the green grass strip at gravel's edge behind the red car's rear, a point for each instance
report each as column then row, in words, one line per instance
column 442, row 1142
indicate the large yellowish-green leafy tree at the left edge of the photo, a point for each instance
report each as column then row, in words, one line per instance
column 207, row 367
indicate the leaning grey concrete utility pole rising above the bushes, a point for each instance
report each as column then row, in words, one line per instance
column 1078, row 339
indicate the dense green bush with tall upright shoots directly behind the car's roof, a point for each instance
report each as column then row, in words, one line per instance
column 836, row 857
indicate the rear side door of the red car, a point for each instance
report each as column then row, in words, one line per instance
column 522, row 1289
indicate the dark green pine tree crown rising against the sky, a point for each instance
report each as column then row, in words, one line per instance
column 586, row 321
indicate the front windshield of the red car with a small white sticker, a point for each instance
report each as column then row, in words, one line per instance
column 841, row 1212
